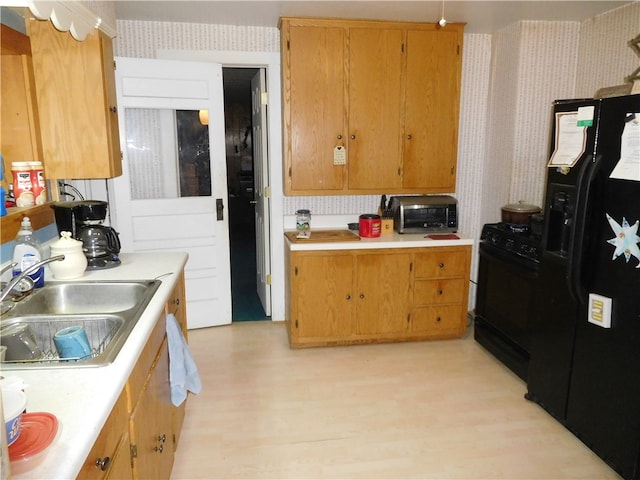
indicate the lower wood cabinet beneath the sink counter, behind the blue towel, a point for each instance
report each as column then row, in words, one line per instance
column 140, row 436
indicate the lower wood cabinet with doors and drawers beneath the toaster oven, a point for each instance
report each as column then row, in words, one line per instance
column 367, row 296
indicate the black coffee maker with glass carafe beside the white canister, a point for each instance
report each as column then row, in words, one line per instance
column 84, row 219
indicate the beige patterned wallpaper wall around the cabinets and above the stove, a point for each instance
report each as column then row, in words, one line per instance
column 509, row 81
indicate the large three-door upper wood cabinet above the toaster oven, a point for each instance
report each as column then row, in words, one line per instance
column 370, row 106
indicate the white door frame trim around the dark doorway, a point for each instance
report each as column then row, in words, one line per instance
column 270, row 61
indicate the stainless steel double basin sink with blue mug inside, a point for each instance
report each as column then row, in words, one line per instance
column 107, row 310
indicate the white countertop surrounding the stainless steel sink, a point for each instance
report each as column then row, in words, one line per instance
column 82, row 398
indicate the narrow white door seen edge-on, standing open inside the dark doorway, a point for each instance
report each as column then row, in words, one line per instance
column 261, row 187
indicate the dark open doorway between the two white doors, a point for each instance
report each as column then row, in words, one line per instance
column 246, row 305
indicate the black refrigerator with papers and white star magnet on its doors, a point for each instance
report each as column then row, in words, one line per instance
column 585, row 352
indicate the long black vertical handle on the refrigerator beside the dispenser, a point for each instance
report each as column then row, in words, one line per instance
column 581, row 211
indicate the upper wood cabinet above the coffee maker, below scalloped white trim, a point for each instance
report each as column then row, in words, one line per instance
column 75, row 89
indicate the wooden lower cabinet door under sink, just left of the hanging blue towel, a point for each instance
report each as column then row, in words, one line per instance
column 151, row 424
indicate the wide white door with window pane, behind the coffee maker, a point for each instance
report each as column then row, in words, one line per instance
column 173, row 190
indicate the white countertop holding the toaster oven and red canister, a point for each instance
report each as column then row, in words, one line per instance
column 396, row 240
